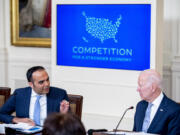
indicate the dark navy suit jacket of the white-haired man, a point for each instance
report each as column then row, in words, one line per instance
column 166, row 120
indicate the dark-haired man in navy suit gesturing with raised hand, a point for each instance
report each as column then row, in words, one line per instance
column 33, row 104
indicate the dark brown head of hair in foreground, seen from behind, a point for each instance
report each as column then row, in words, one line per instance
column 63, row 124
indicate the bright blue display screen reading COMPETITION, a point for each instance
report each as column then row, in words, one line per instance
column 114, row 36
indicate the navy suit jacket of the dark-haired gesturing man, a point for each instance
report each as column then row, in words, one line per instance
column 19, row 102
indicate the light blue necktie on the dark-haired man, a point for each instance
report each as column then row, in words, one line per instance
column 37, row 110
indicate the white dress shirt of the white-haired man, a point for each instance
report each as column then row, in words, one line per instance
column 155, row 106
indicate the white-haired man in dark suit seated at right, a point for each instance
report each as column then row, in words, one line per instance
column 156, row 113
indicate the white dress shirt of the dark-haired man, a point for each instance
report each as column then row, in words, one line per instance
column 43, row 104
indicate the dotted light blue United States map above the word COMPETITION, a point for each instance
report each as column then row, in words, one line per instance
column 102, row 28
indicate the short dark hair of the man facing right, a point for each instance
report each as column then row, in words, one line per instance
column 31, row 71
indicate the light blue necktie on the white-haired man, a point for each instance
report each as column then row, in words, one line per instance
column 147, row 118
